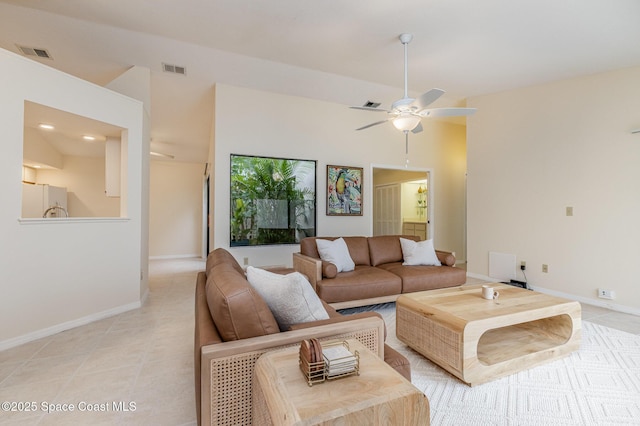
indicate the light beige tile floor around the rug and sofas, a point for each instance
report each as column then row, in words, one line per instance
column 142, row 357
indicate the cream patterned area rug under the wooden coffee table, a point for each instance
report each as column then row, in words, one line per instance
column 597, row 385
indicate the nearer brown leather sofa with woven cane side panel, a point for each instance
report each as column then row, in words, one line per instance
column 234, row 326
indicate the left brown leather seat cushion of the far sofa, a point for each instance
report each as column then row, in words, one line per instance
column 362, row 283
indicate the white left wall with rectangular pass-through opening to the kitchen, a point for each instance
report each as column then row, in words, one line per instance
column 58, row 274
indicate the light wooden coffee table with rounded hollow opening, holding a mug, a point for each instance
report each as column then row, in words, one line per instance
column 480, row 340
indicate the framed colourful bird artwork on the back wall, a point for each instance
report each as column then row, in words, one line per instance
column 344, row 191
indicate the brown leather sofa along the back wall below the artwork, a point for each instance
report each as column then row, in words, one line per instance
column 379, row 275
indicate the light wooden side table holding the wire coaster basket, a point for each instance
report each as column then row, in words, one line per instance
column 379, row 395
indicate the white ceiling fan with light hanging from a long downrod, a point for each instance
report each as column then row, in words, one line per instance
column 406, row 113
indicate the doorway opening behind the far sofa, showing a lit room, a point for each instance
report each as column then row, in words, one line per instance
column 402, row 201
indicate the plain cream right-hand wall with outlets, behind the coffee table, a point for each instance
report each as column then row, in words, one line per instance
column 532, row 152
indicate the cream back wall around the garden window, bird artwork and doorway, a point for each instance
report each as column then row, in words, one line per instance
column 261, row 123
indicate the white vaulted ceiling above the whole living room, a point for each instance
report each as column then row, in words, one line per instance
column 340, row 51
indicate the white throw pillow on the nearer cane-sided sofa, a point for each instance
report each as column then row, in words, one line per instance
column 290, row 297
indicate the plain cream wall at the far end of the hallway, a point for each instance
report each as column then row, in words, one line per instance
column 175, row 215
